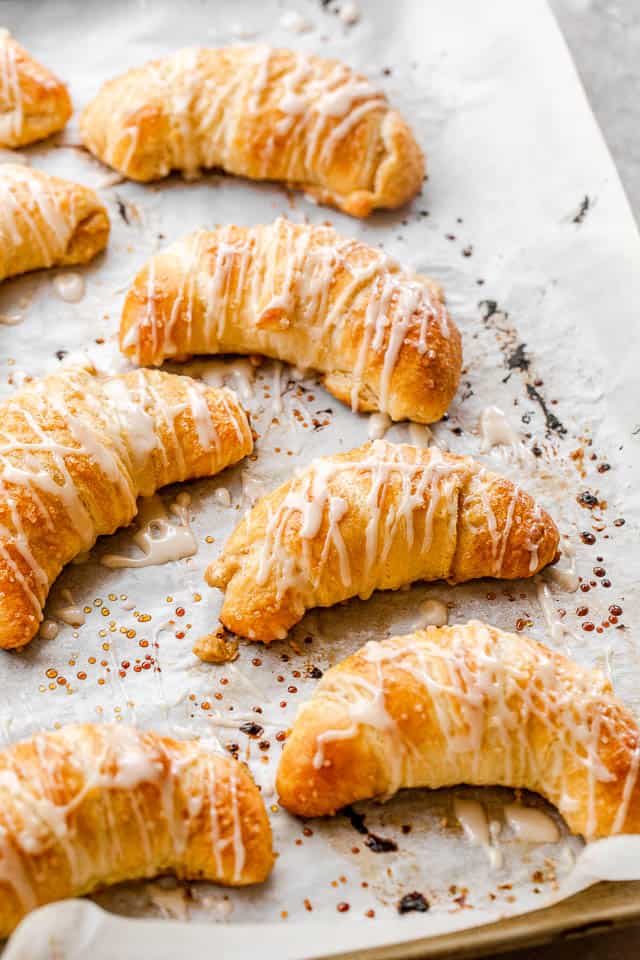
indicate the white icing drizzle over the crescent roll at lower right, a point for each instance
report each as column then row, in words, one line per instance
column 488, row 688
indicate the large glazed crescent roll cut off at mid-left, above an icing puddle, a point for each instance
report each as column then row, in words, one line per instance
column 77, row 450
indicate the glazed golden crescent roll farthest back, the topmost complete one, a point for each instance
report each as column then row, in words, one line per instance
column 261, row 113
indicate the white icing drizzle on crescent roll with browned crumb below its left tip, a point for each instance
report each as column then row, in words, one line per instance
column 422, row 491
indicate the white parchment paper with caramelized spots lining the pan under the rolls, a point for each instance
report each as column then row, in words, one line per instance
column 524, row 222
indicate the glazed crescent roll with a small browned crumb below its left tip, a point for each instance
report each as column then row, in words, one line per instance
column 375, row 518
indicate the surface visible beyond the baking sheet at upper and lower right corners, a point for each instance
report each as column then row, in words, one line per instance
column 604, row 39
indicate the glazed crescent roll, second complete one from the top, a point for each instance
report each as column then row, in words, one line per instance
column 381, row 337
